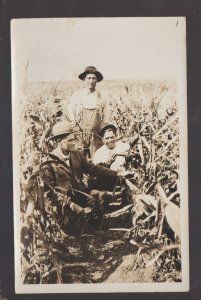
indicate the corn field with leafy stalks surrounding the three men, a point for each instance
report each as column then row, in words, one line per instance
column 145, row 229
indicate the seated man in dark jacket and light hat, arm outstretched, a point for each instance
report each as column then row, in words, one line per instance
column 62, row 176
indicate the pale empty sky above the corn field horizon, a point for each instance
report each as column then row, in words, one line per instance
column 120, row 48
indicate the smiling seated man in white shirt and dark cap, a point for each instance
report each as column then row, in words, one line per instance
column 112, row 153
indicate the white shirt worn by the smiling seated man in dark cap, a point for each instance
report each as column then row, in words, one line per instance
column 103, row 154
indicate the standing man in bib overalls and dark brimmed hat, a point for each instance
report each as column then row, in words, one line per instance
column 88, row 109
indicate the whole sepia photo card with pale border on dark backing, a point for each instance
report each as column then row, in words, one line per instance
column 99, row 114
